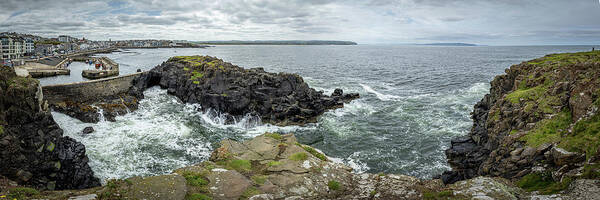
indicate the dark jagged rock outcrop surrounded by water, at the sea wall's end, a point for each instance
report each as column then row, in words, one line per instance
column 281, row 98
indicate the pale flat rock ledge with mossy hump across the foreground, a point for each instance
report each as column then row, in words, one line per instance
column 274, row 166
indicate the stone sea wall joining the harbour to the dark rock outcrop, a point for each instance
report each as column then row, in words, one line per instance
column 89, row 90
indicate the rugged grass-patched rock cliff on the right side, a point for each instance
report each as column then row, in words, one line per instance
column 540, row 117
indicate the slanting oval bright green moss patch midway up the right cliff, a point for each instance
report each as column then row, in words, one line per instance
column 548, row 130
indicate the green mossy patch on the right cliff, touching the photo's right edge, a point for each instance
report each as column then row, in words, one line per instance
column 585, row 137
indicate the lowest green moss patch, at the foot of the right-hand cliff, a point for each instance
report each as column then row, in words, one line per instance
column 543, row 183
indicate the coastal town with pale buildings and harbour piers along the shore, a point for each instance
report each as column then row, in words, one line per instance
column 42, row 57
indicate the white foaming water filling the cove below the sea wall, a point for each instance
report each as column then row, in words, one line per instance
column 148, row 141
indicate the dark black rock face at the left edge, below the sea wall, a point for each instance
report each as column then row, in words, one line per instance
column 33, row 150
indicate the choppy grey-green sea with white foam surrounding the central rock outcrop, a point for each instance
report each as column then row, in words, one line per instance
column 414, row 99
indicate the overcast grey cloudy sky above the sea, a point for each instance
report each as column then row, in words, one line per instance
column 489, row 22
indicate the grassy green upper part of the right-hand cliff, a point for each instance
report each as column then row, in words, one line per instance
column 542, row 89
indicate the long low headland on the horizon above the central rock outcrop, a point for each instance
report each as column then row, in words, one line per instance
column 277, row 42
